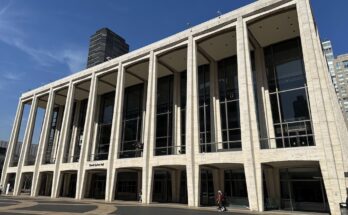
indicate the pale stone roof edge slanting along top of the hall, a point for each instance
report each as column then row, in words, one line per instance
column 227, row 18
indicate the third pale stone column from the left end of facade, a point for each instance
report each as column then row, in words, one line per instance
column 42, row 143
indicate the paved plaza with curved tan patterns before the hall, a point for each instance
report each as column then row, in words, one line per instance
column 25, row 205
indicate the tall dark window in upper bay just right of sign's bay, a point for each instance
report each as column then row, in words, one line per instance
column 131, row 145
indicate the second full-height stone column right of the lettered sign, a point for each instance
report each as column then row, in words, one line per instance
column 149, row 131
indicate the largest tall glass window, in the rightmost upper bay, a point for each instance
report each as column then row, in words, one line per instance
column 288, row 94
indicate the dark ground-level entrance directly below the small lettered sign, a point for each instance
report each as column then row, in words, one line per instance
column 96, row 184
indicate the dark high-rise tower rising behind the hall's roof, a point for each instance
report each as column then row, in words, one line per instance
column 105, row 45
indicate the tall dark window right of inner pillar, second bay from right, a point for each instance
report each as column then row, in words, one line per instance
column 229, row 103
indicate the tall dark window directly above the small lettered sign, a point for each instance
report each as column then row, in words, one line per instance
column 104, row 126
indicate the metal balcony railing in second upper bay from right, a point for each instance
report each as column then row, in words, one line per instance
column 226, row 146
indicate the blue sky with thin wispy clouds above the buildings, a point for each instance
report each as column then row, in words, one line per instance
column 44, row 40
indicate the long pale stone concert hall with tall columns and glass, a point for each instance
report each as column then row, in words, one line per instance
column 241, row 103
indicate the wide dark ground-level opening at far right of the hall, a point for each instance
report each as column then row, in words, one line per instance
column 295, row 189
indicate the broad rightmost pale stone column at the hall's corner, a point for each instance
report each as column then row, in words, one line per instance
column 322, row 118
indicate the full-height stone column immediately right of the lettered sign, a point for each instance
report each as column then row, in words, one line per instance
column 115, row 134
